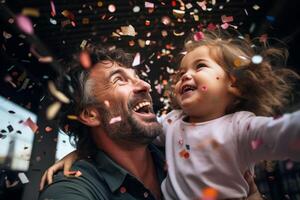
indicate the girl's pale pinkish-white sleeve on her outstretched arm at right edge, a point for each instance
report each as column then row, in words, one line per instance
column 267, row 138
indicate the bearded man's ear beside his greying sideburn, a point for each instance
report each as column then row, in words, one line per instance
column 90, row 117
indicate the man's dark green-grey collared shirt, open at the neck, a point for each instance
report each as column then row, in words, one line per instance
column 102, row 179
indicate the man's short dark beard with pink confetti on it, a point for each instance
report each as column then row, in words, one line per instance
column 129, row 129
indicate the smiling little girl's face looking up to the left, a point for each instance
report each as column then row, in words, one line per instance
column 204, row 88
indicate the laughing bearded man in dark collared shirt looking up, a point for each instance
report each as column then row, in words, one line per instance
column 114, row 129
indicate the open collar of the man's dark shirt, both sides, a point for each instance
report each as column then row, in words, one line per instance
column 115, row 175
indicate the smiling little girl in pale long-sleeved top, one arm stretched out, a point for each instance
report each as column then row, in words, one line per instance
column 225, row 90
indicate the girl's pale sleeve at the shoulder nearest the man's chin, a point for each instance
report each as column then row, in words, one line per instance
column 165, row 122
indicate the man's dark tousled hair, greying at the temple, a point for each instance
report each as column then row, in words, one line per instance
column 73, row 82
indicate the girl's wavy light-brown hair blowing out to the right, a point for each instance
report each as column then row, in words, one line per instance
column 265, row 86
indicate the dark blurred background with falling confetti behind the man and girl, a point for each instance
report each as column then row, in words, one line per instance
column 36, row 34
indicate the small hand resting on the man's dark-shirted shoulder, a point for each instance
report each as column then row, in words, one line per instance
column 65, row 163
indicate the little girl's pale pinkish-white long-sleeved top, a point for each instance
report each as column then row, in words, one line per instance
column 216, row 153
